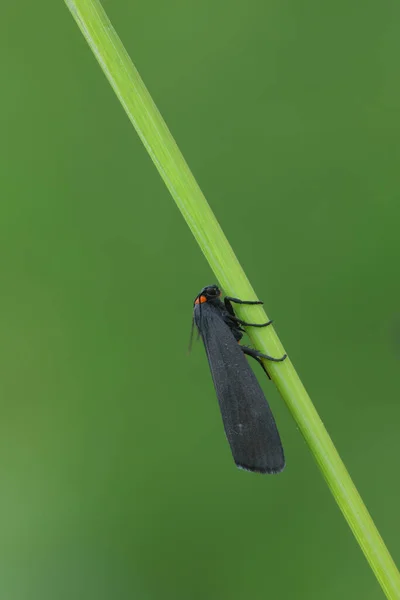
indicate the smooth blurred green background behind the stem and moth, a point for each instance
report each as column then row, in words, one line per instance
column 116, row 478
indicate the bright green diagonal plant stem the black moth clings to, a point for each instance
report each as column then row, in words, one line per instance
column 141, row 110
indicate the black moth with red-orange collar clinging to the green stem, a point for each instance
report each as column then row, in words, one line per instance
column 248, row 421
